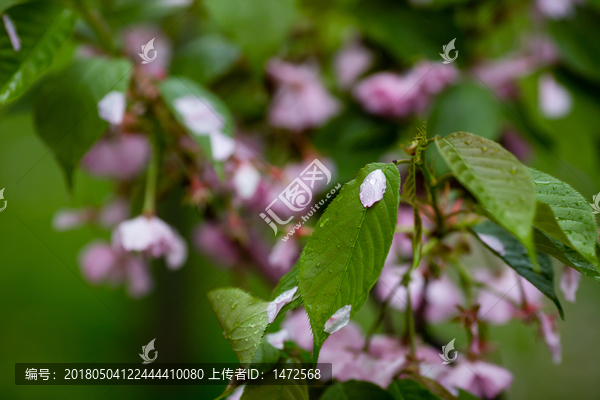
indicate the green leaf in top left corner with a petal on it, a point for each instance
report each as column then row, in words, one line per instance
column 42, row 27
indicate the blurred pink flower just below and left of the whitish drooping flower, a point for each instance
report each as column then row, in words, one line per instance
column 102, row 263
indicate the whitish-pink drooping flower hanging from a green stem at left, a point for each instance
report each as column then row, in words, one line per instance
column 152, row 236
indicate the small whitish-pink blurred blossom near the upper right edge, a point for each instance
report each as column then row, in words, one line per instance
column 555, row 101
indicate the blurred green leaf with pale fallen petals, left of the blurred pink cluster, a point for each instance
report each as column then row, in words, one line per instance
column 175, row 88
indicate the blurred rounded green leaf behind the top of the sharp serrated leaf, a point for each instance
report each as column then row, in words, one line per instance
column 466, row 107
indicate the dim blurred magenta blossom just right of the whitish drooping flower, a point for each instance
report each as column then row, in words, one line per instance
column 211, row 240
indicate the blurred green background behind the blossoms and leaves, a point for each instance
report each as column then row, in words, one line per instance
column 49, row 314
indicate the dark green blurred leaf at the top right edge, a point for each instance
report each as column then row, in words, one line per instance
column 577, row 41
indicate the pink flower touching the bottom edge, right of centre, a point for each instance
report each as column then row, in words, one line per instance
column 477, row 377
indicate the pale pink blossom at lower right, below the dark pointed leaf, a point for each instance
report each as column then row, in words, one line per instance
column 498, row 304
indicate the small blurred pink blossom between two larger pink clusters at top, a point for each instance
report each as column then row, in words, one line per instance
column 351, row 62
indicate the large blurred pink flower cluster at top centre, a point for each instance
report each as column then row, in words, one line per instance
column 300, row 101
